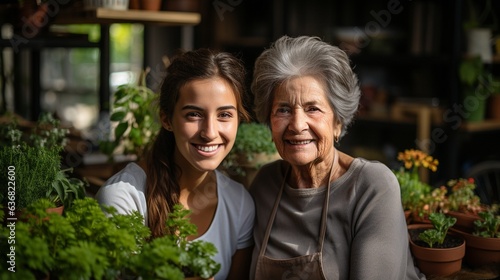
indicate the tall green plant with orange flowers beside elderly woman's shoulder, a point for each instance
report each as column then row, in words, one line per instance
column 413, row 190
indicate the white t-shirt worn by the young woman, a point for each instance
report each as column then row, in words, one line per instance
column 232, row 225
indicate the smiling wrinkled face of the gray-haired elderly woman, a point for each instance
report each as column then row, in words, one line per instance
column 302, row 121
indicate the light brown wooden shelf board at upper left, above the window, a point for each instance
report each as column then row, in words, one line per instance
column 108, row 16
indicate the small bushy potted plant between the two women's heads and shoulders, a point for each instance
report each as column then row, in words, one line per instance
column 252, row 148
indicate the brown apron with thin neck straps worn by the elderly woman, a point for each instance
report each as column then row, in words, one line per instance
column 297, row 268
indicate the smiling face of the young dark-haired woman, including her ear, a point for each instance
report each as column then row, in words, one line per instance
column 204, row 122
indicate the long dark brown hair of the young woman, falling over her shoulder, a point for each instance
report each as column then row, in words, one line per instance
column 163, row 189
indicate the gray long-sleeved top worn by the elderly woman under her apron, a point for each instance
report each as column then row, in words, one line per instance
column 366, row 236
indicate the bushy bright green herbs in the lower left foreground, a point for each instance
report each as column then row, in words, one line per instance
column 89, row 243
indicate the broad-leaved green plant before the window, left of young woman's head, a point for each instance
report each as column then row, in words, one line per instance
column 135, row 126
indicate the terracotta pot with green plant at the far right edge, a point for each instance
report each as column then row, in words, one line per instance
column 483, row 244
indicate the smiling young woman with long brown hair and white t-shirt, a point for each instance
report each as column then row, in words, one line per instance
column 201, row 105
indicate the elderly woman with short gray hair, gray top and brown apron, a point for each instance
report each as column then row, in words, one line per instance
column 320, row 213
